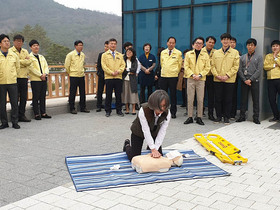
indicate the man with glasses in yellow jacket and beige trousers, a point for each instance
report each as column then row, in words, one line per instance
column 197, row 66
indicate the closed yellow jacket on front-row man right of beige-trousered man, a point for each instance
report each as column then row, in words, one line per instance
column 225, row 64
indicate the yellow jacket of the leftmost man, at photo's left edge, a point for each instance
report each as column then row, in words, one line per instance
column 9, row 68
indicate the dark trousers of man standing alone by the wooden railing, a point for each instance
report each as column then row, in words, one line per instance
column 76, row 82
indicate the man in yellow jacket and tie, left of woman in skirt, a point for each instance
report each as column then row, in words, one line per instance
column 113, row 65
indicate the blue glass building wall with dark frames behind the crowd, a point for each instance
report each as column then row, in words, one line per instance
column 154, row 21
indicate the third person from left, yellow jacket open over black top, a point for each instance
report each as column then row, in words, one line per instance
column 39, row 71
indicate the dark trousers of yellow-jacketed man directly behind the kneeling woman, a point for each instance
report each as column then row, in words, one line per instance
column 171, row 84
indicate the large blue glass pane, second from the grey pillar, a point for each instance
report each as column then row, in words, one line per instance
column 210, row 21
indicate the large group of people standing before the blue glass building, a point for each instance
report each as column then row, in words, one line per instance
column 206, row 71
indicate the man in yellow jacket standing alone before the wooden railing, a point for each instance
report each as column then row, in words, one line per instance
column 74, row 65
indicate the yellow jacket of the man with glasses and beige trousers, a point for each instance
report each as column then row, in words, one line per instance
column 201, row 66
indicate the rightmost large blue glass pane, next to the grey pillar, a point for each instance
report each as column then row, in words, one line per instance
column 241, row 24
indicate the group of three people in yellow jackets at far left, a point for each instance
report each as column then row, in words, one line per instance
column 16, row 65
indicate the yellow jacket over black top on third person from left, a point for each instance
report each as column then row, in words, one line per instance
column 35, row 72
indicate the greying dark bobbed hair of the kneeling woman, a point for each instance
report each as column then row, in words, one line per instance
column 156, row 98
